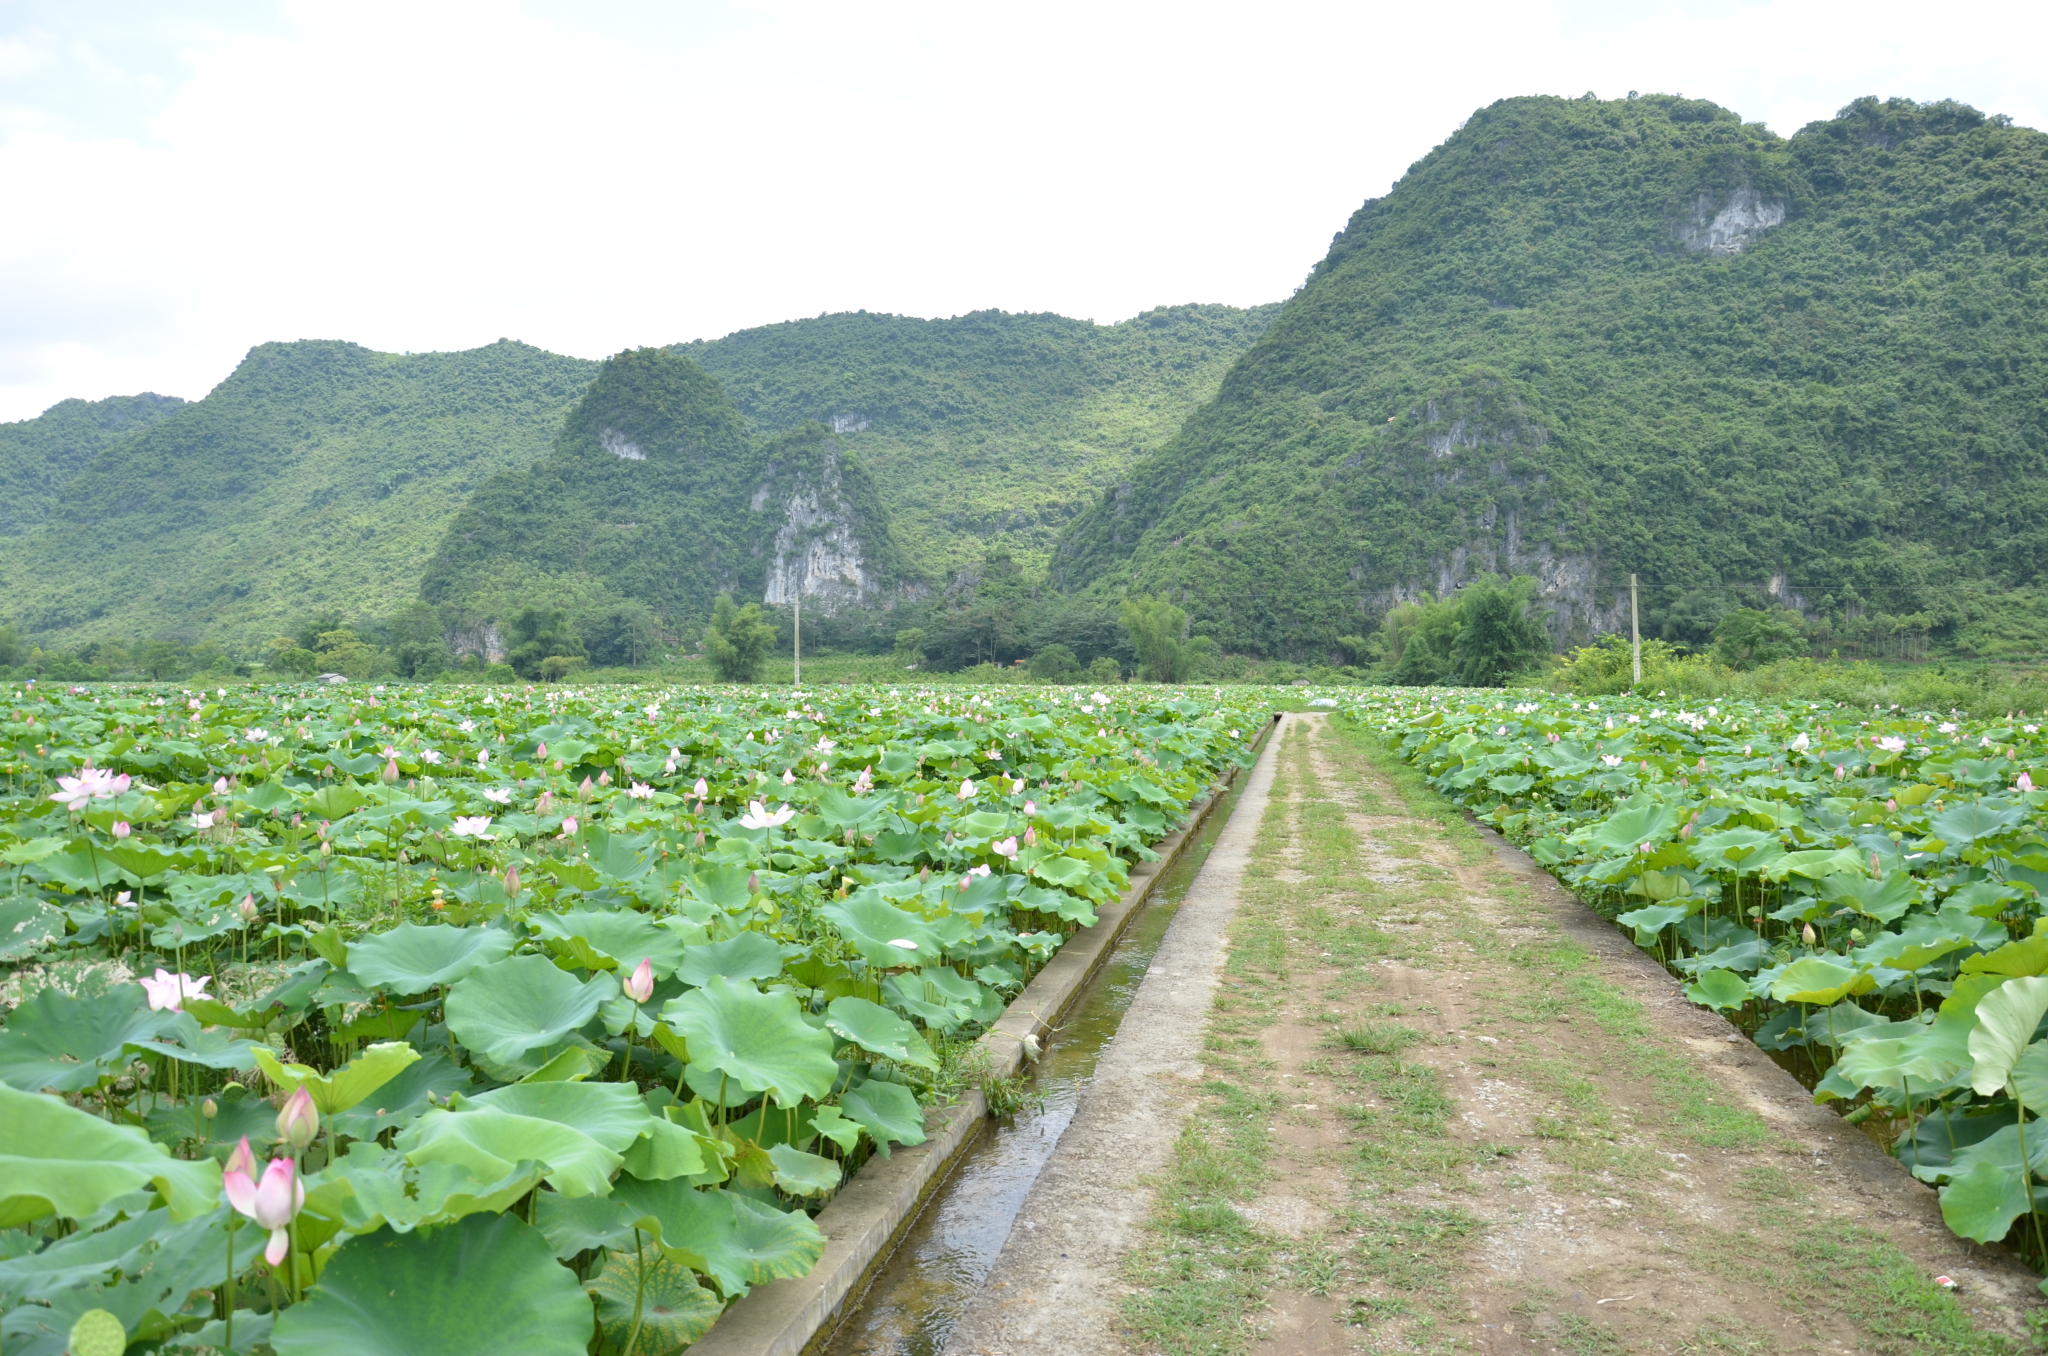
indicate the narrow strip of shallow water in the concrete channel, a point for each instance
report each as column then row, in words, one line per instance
column 943, row 1259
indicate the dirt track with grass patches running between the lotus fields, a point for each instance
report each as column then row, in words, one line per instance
column 1451, row 1109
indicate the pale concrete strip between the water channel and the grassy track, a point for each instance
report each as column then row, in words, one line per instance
column 1058, row 1285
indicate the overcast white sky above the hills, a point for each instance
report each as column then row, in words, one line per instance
column 183, row 179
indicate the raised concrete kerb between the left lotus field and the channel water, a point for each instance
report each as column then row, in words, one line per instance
column 871, row 1212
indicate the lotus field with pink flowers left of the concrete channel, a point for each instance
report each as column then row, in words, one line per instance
column 409, row 1021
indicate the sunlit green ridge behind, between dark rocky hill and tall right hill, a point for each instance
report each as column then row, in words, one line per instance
column 986, row 431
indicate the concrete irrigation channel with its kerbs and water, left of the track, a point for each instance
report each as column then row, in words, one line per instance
column 910, row 1240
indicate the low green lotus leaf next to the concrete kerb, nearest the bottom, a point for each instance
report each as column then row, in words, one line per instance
column 734, row 1240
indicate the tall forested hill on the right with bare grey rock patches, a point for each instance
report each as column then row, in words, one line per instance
column 1586, row 339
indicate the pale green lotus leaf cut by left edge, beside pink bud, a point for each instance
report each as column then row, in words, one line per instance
column 58, row 1160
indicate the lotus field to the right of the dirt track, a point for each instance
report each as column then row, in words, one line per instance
column 1861, row 890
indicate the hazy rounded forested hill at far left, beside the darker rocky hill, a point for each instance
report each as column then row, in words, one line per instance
column 321, row 476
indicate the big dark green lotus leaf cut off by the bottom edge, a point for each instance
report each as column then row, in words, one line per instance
column 486, row 1285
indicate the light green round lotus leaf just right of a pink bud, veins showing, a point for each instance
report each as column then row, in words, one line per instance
column 755, row 1037
